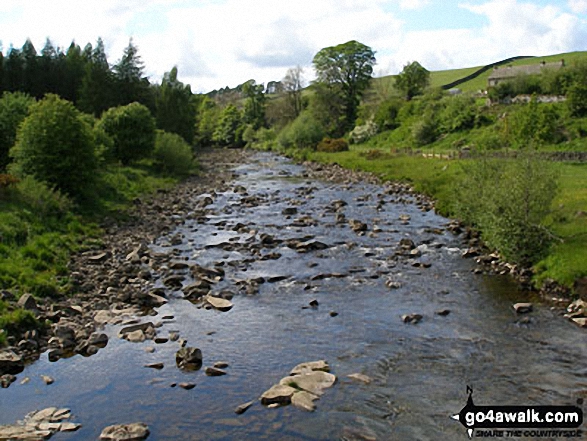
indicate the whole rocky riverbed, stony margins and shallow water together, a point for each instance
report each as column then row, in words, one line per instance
column 218, row 287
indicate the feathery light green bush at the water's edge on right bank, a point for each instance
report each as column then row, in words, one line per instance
column 509, row 200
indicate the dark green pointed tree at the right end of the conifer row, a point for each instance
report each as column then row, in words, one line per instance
column 175, row 108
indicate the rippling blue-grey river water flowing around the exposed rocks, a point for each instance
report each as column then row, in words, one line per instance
column 419, row 371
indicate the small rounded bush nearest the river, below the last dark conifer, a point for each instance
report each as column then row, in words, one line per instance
column 172, row 154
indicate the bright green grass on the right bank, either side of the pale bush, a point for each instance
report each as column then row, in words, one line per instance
column 567, row 259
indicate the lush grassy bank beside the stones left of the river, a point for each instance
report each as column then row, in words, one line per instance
column 40, row 229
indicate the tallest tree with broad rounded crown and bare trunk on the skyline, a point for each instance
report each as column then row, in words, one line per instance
column 347, row 68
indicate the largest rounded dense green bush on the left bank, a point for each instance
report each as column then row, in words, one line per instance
column 56, row 146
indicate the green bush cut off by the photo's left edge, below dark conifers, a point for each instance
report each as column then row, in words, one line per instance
column 14, row 108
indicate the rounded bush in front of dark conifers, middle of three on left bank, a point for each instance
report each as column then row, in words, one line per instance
column 132, row 129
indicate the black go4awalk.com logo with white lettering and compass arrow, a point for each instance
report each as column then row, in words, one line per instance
column 520, row 421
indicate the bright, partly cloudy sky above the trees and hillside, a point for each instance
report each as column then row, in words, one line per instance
column 218, row 43
